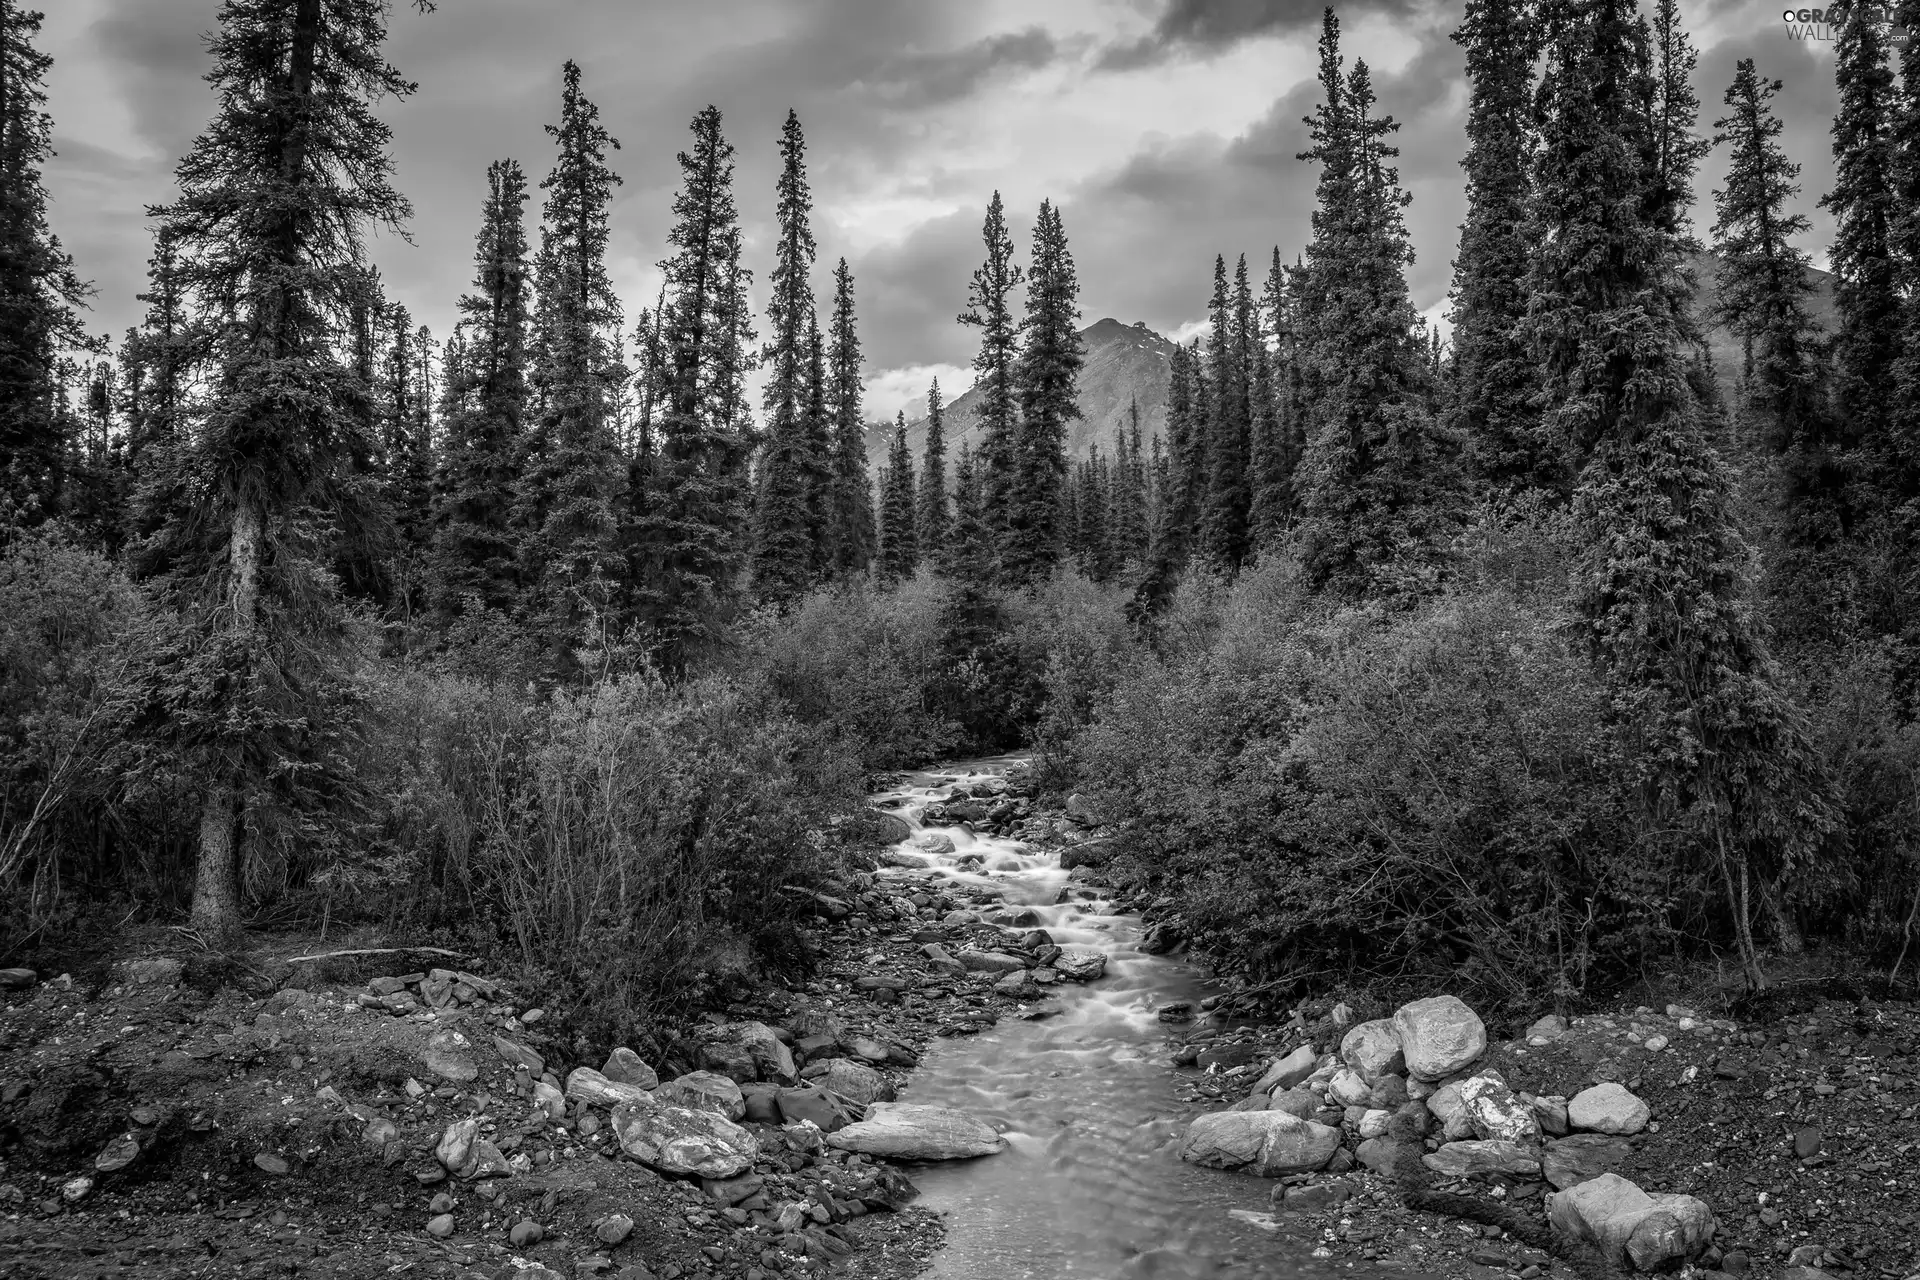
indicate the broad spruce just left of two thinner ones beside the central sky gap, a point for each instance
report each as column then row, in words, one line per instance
column 690, row 542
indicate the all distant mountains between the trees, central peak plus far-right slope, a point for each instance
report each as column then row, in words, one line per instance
column 1130, row 362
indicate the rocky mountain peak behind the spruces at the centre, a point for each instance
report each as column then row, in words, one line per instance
column 1124, row 362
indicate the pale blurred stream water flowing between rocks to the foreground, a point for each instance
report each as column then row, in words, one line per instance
column 1092, row 1187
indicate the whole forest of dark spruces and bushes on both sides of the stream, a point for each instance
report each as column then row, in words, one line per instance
column 1529, row 655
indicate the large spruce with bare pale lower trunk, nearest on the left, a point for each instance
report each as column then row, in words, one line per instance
column 276, row 199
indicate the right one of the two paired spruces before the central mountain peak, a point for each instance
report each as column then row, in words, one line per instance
column 1047, row 385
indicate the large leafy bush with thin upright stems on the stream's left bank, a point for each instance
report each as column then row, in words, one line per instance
column 635, row 847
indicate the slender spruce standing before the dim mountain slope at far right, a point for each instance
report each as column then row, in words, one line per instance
column 1764, row 283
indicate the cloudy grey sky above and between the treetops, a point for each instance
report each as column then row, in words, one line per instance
column 1166, row 131
